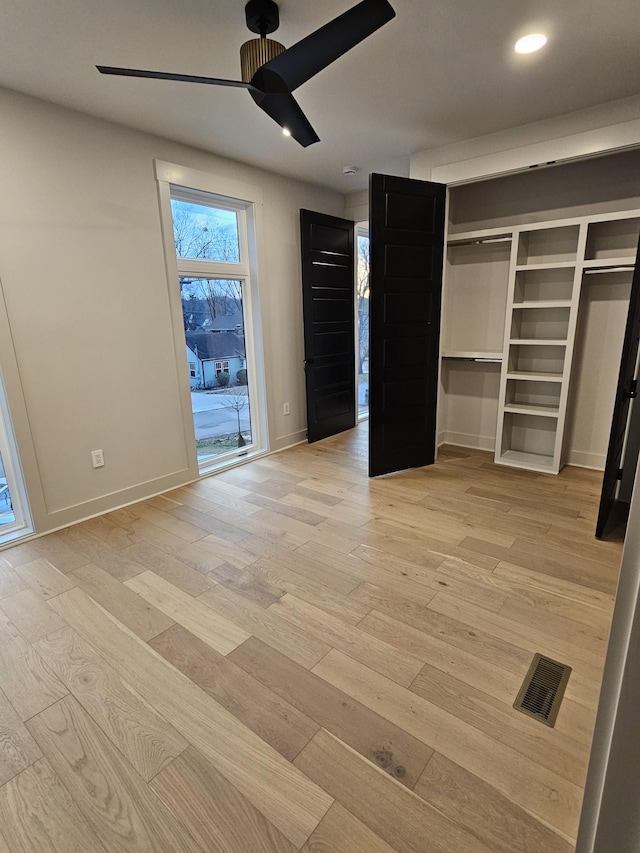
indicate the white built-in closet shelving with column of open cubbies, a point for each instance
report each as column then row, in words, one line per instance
column 512, row 298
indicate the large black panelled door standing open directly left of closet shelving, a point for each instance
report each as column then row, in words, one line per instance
column 406, row 231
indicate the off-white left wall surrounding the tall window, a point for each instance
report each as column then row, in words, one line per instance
column 90, row 361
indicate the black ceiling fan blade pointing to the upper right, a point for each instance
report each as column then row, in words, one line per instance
column 307, row 57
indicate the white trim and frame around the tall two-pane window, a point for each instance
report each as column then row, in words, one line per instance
column 182, row 181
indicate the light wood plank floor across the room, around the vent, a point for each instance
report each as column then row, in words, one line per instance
column 288, row 656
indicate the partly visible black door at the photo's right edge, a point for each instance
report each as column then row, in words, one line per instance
column 626, row 391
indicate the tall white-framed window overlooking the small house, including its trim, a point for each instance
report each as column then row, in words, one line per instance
column 211, row 256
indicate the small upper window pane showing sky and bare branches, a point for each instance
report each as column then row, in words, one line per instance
column 206, row 233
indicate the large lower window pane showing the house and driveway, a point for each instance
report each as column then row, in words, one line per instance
column 214, row 332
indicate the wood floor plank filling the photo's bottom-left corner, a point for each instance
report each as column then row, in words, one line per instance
column 37, row 814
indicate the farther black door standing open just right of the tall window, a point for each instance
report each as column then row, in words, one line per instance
column 328, row 282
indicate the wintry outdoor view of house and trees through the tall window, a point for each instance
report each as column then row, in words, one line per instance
column 208, row 239
